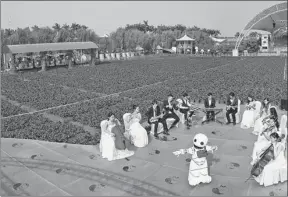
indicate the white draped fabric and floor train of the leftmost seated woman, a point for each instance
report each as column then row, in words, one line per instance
column 107, row 144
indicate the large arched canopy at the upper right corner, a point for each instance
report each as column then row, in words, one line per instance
column 269, row 20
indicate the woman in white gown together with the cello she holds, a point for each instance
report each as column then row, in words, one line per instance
column 273, row 170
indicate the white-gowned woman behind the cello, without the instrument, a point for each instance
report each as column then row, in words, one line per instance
column 276, row 170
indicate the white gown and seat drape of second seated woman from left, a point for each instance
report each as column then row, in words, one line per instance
column 138, row 134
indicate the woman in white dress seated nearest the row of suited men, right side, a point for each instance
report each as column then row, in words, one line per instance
column 248, row 118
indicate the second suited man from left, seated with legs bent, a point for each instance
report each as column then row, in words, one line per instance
column 169, row 108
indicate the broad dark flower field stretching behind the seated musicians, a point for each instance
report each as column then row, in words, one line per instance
column 87, row 94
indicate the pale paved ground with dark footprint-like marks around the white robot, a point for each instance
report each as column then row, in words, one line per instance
column 51, row 169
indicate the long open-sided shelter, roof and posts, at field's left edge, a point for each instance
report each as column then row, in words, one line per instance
column 11, row 50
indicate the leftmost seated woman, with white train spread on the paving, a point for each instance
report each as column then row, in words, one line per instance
column 113, row 144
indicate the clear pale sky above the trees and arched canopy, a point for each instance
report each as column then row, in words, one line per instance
column 106, row 16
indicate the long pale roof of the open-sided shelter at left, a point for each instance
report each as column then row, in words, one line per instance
column 62, row 46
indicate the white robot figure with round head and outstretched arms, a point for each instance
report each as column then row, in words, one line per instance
column 198, row 170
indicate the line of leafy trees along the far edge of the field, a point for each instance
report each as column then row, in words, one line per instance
column 122, row 39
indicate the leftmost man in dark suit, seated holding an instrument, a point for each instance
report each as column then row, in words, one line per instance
column 155, row 113
